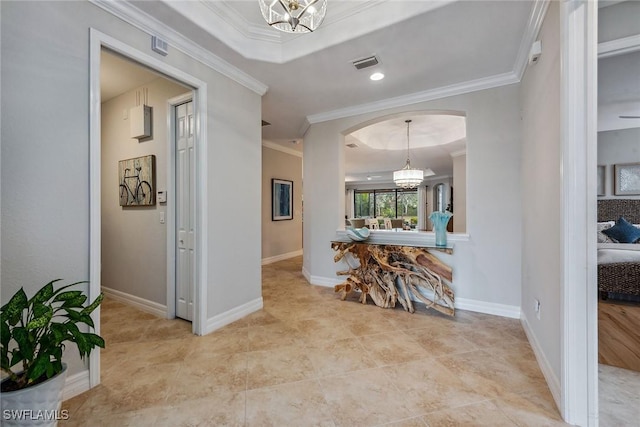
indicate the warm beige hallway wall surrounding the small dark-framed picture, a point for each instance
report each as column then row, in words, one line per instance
column 280, row 238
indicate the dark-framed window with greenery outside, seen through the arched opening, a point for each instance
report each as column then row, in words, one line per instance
column 391, row 203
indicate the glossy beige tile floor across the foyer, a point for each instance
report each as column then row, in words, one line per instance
column 309, row 359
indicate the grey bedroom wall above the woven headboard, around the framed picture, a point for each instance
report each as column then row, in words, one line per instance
column 617, row 147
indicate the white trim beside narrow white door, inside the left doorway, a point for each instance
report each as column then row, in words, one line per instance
column 171, row 200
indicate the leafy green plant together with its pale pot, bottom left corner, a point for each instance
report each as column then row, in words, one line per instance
column 33, row 336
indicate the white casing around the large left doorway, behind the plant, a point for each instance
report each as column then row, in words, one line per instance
column 98, row 42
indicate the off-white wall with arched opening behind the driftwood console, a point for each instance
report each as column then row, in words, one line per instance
column 486, row 268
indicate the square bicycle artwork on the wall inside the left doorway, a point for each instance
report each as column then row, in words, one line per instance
column 137, row 181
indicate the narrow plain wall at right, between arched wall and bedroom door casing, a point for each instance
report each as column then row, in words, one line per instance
column 541, row 203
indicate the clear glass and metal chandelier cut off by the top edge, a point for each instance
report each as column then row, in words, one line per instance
column 294, row 16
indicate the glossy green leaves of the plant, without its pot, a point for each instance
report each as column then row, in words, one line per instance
column 33, row 333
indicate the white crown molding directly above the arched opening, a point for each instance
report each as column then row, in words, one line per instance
column 417, row 97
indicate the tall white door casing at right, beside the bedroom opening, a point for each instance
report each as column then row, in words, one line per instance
column 579, row 334
